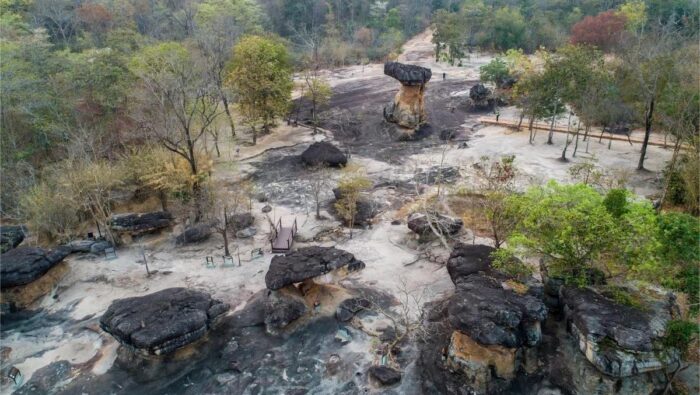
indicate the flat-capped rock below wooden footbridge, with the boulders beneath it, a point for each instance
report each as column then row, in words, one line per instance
column 293, row 280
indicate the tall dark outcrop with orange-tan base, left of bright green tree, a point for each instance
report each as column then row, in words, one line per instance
column 488, row 330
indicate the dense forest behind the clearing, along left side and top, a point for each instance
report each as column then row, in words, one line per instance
column 70, row 68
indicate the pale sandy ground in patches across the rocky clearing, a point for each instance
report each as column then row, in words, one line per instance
column 93, row 283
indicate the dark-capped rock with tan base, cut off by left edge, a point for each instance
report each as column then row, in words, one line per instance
column 28, row 273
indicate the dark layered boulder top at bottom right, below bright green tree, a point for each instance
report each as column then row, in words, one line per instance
column 619, row 340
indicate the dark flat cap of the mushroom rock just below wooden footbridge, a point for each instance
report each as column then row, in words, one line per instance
column 308, row 262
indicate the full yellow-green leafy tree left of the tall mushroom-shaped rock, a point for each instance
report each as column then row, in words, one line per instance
column 261, row 76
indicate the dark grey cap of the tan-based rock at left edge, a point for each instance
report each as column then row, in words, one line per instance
column 22, row 265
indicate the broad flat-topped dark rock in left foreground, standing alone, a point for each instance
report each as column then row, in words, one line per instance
column 162, row 322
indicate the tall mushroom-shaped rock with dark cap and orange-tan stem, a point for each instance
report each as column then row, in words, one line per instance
column 407, row 109
